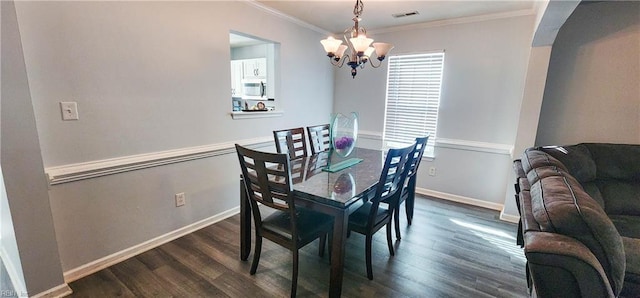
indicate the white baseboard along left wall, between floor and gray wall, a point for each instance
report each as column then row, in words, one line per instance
column 97, row 265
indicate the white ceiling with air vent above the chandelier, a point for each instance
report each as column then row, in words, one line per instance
column 335, row 15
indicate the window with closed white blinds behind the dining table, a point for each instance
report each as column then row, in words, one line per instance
column 413, row 96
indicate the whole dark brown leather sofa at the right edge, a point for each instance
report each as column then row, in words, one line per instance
column 580, row 219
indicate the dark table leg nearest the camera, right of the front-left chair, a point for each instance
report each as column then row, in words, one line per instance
column 340, row 226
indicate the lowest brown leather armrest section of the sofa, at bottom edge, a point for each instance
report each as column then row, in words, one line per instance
column 561, row 266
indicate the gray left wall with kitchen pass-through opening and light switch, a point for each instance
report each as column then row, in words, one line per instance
column 150, row 77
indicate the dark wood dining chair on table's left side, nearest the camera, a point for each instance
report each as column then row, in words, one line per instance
column 267, row 180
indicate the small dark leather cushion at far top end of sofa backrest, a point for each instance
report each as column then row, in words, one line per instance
column 576, row 158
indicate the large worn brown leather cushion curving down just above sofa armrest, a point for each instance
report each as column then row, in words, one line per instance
column 560, row 205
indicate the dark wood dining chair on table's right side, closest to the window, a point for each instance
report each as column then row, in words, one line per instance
column 409, row 190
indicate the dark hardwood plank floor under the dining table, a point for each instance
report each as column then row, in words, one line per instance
column 451, row 250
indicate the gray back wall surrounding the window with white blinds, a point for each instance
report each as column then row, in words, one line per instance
column 484, row 74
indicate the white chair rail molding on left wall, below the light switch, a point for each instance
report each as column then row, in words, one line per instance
column 93, row 169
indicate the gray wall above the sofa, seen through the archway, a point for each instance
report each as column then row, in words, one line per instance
column 593, row 90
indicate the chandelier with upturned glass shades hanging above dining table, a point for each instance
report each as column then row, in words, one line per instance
column 360, row 47
